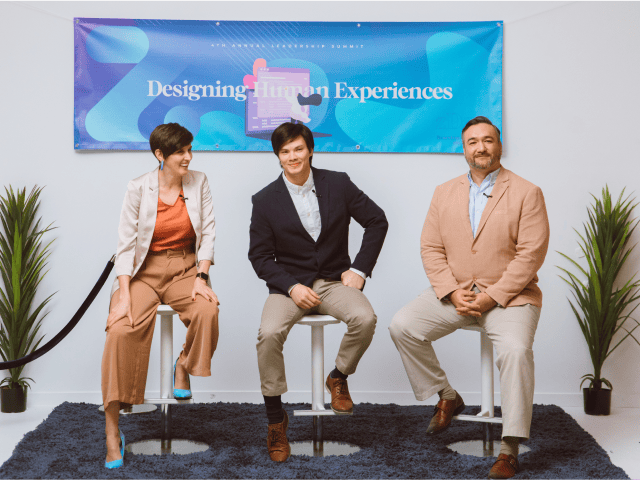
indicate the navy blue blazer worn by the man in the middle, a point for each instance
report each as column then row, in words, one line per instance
column 283, row 253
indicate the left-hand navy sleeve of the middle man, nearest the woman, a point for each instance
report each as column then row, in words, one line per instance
column 262, row 252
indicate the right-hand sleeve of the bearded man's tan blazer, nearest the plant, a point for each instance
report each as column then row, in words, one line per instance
column 531, row 249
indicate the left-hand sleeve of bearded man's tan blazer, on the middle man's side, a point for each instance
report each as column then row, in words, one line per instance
column 432, row 251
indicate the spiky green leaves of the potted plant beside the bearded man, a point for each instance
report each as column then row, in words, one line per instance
column 600, row 306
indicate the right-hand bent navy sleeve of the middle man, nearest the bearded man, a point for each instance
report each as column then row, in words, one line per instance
column 372, row 218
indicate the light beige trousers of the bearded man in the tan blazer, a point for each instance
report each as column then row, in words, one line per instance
column 511, row 330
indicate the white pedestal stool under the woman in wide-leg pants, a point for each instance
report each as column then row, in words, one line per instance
column 166, row 444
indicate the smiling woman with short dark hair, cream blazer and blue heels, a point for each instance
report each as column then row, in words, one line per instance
column 165, row 248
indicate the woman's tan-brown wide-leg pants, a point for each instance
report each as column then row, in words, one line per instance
column 167, row 278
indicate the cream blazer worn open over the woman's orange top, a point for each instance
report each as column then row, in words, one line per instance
column 138, row 220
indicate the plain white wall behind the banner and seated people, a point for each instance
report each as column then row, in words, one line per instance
column 571, row 99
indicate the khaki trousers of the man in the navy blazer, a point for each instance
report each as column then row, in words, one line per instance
column 280, row 314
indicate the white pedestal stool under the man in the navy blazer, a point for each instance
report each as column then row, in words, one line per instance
column 317, row 447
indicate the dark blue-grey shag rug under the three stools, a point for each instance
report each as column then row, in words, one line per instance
column 70, row 444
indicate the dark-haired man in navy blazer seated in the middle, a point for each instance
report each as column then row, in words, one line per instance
column 299, row 245
